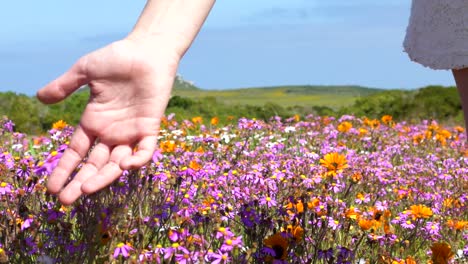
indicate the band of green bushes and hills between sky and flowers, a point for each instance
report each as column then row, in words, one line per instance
column 432, row 102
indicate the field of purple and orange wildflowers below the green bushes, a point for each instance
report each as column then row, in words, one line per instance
column 299, row 190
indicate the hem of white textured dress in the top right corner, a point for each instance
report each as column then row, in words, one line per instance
column 437, row 34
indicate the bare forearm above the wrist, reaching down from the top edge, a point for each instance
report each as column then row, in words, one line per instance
column 175, row 21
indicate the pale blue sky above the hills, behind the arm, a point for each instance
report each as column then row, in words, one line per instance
column 244, row 43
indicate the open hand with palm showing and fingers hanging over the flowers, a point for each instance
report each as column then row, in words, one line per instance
column 131, row 82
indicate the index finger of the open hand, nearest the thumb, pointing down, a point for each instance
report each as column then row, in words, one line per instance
column 73, row 155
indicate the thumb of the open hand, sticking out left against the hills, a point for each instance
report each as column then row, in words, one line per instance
column 66, row 84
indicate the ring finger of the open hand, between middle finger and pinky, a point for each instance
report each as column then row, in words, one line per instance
column 109, row 173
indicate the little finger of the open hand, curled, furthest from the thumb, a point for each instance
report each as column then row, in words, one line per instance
column 146, row 148
